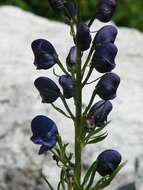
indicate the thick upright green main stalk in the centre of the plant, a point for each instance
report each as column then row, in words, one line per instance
column 78, row 118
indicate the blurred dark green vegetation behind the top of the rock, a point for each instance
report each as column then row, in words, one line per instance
column 129, row 12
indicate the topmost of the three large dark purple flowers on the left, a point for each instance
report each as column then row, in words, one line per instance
column 44, row 53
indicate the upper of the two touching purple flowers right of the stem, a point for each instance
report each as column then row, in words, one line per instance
column 106, row 34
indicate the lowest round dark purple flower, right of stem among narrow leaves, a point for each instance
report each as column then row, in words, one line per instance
column 108, row 161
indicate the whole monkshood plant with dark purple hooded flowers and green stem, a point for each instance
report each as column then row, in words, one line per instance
column 89, row 122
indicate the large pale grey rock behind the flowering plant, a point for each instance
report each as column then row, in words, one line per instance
column 20, row 102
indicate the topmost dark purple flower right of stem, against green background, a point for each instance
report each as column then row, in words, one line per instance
column 105, row 10
